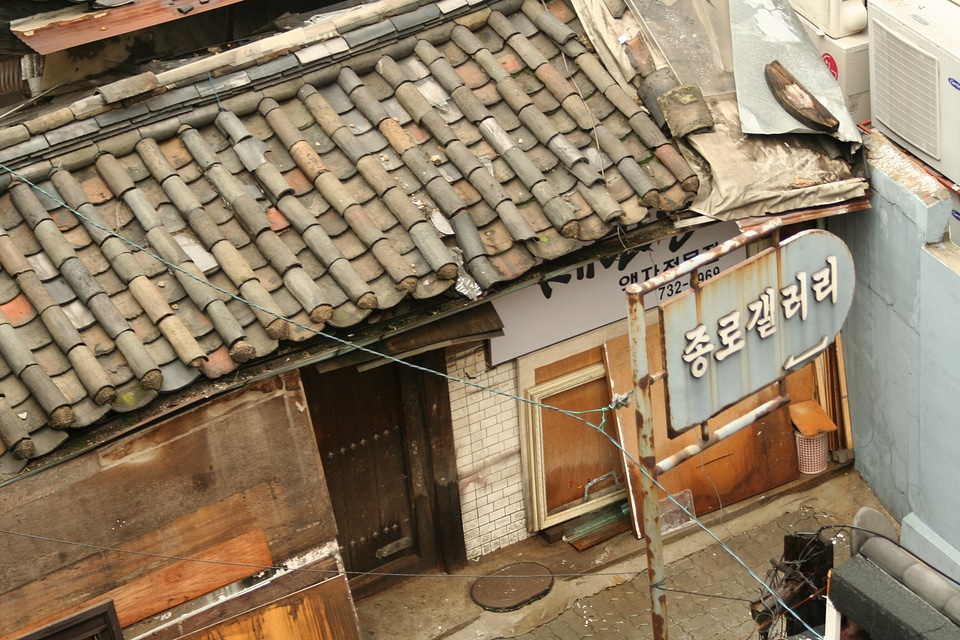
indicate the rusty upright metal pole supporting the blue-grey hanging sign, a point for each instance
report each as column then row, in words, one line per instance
column 650, row 497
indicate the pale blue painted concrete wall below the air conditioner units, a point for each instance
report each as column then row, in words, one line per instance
column 902, row 349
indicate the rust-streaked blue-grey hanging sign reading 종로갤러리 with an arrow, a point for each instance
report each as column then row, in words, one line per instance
column 753, row 324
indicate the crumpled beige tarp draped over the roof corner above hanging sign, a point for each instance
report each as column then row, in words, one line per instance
column 759, row 175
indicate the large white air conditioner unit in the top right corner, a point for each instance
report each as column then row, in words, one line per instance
column 915, row 78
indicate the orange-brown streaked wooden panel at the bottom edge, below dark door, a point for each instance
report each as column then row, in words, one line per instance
column 323, row 612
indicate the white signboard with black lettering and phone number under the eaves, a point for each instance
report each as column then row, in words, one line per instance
column 593, row 296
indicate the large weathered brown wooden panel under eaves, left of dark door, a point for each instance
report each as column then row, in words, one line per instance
column 234, row 466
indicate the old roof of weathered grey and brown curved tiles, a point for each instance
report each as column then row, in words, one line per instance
column 319, row 184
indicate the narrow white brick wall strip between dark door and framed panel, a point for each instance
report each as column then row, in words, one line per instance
column 486, row 429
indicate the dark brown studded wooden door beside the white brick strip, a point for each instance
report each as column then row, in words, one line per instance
column 361, row 429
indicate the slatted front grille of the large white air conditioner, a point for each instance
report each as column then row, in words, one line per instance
column 905, row 94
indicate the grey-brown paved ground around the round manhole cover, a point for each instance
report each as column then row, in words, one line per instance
column 603, row 592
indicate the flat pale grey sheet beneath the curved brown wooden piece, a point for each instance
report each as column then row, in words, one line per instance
column 766, row 30
